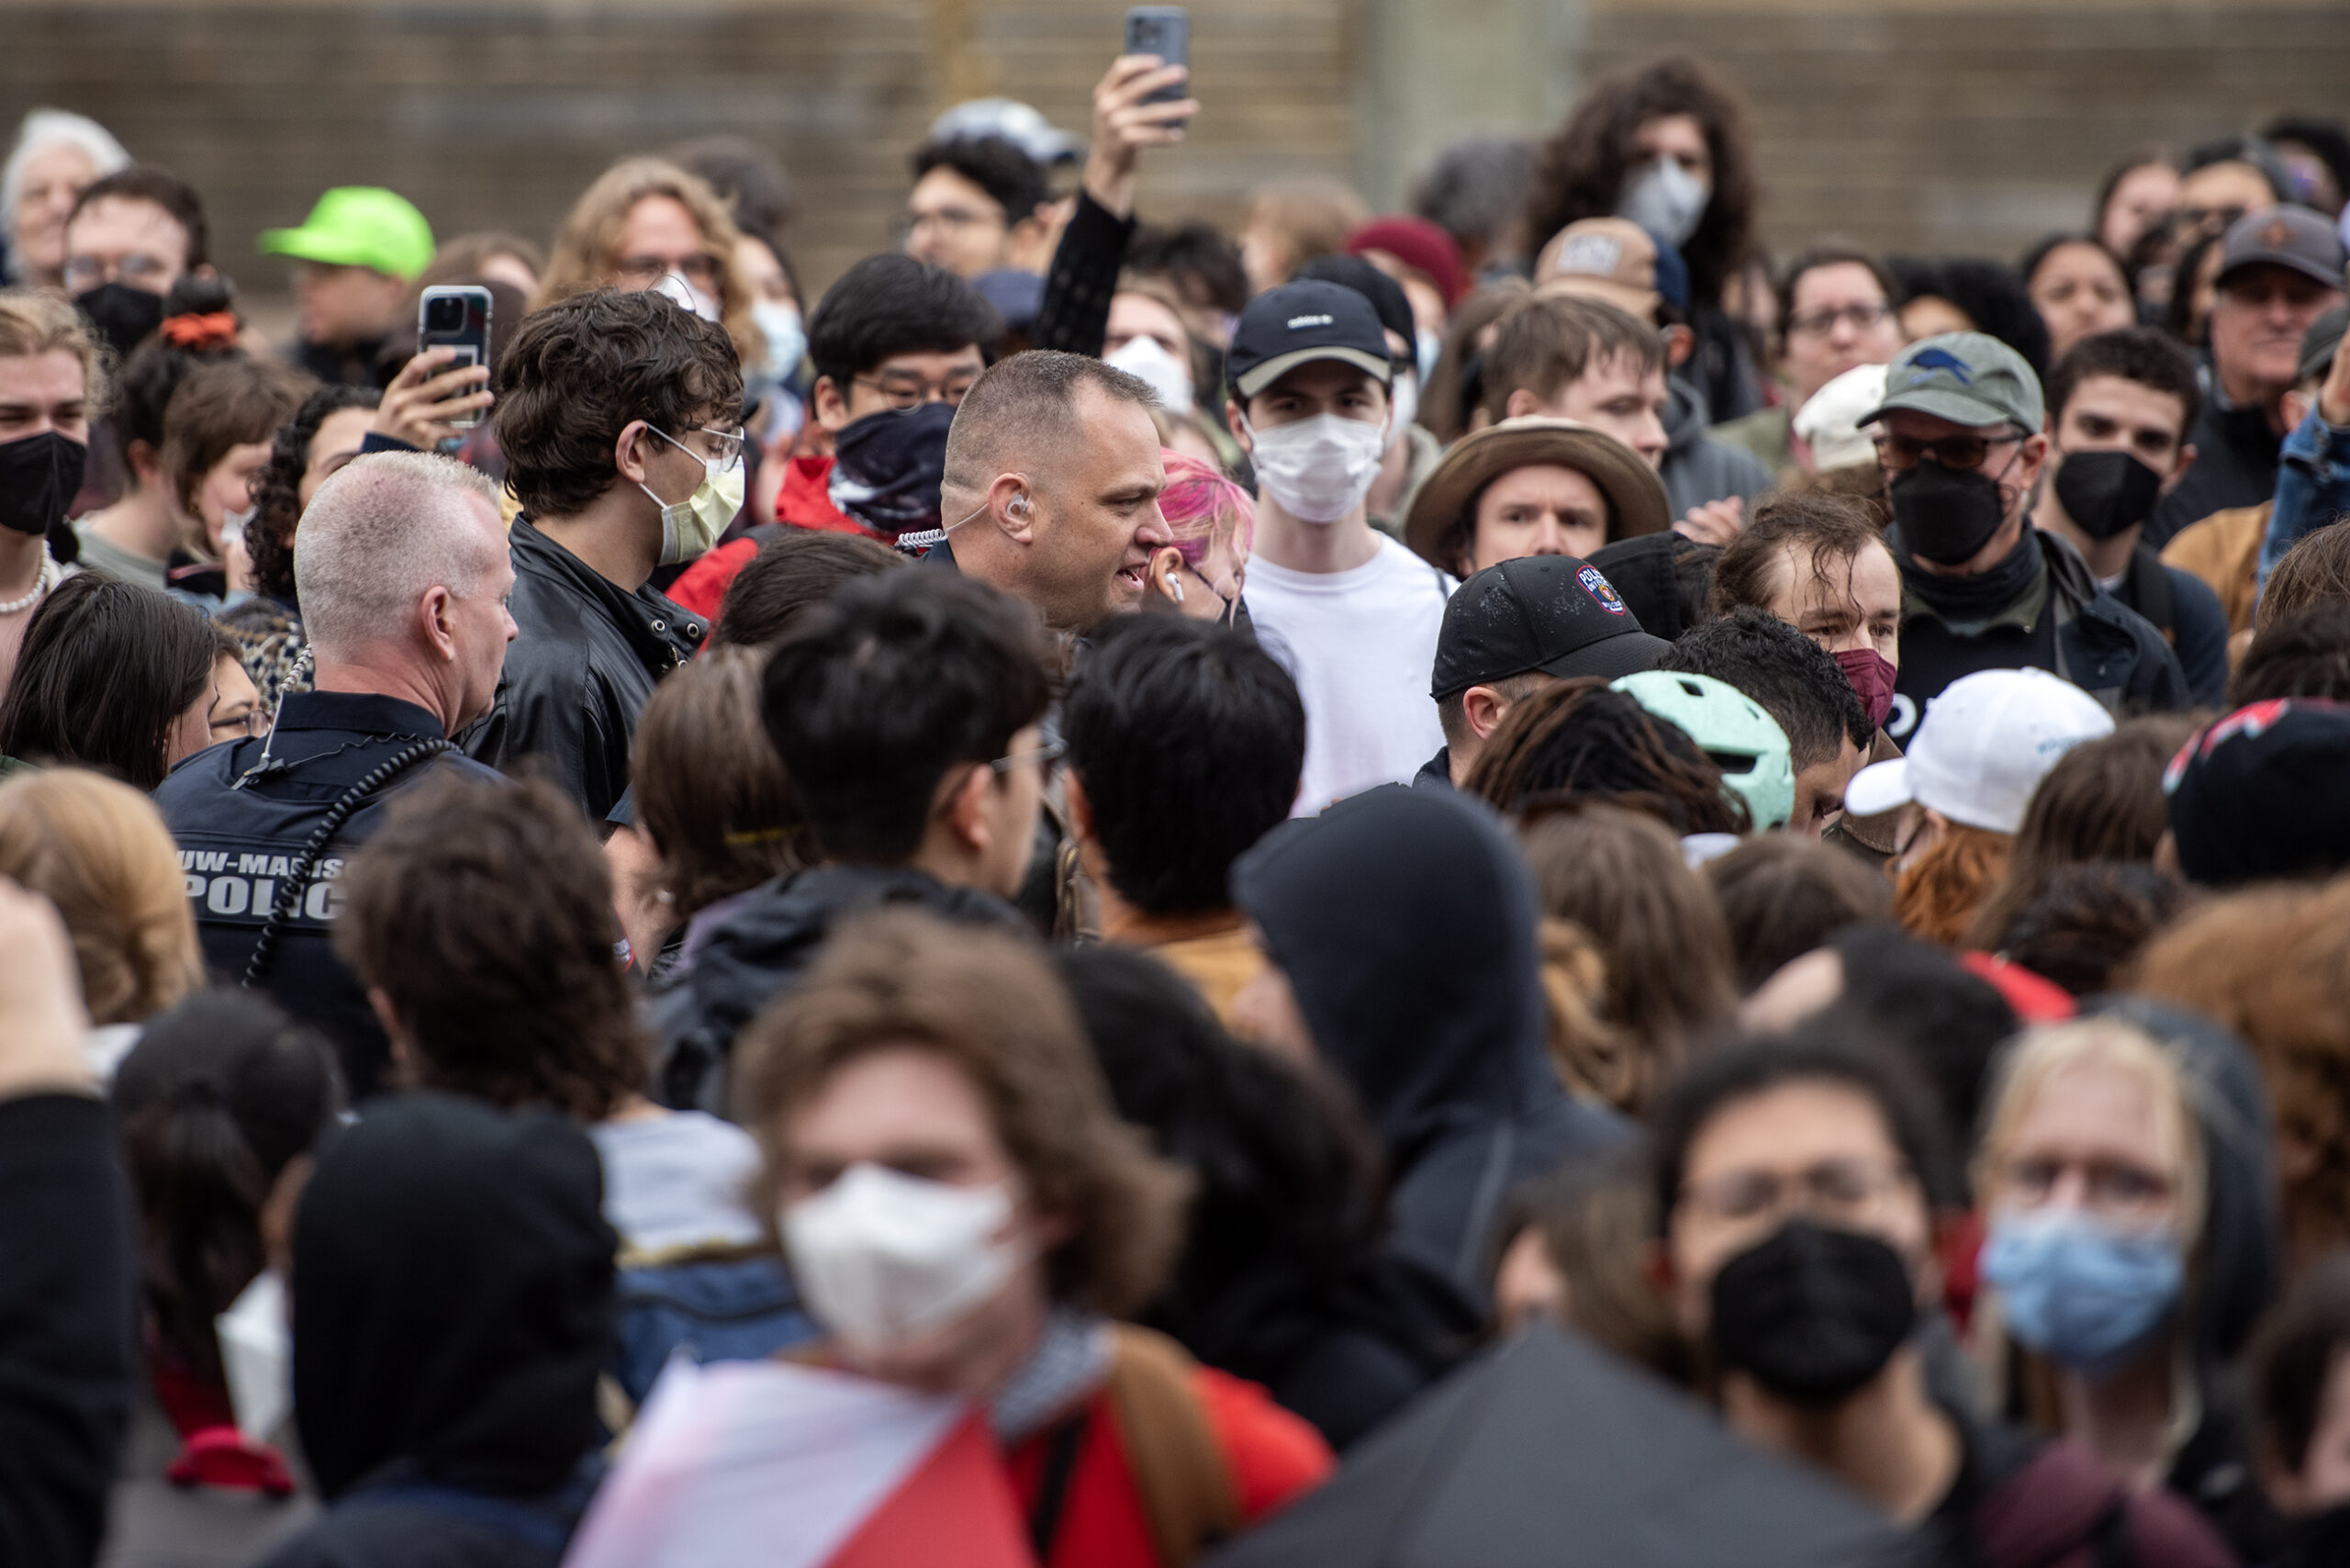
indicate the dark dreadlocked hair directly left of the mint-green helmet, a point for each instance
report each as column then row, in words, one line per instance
column 1585, row 742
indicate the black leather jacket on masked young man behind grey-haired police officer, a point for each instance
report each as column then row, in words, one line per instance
column 577, row 676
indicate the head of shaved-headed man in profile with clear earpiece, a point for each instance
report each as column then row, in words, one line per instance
column 1052, row 488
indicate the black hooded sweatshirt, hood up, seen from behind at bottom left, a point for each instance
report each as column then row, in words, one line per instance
column 452, row 1311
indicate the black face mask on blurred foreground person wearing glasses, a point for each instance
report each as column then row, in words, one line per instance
column 1813, row 1313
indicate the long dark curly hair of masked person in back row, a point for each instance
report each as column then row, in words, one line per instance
column 1580, row 170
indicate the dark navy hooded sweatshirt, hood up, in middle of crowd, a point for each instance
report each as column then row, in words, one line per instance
column 1406, row 925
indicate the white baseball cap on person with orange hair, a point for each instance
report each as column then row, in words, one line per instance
column 1982, row 749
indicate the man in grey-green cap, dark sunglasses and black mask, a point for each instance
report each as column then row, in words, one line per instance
column 1961, row 445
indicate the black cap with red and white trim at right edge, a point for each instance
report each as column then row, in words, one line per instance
column 2260, row 793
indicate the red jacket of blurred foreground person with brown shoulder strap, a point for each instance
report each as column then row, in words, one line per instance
column 1103, row 1525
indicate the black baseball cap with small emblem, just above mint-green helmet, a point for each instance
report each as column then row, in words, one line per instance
column 1547, row 615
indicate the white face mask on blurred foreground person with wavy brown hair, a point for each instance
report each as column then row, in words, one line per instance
column 887, row 1257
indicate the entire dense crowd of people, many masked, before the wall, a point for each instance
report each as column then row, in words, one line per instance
column 1110, row 887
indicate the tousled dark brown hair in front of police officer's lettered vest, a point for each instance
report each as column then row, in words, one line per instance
column 483, row 913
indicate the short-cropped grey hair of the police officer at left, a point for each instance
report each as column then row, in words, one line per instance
column 380, row 535
